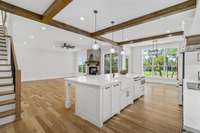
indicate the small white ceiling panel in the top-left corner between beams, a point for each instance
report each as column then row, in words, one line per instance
column 37, row 6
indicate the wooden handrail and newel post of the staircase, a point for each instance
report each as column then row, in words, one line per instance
column 16, row 77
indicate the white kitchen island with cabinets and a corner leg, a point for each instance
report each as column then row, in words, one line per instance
column 100, row 97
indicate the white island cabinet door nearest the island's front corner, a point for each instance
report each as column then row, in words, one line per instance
column 107, row 103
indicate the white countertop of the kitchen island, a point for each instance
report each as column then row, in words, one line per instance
column 100, row 80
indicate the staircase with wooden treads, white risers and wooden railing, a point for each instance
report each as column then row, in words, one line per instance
column 9, row 82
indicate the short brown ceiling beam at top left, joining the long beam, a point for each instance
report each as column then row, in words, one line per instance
column 55, row 8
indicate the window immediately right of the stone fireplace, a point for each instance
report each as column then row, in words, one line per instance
column 111, row 62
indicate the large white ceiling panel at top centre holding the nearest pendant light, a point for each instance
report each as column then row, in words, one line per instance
column 117, row 10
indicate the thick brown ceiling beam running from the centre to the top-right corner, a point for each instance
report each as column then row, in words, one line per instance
column 187, row 5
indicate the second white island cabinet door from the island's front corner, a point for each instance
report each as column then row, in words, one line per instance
column 115, row 99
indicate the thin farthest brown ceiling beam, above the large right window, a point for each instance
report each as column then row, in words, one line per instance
column 179, row 33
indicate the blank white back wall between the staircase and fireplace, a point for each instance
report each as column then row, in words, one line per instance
column 37, row 64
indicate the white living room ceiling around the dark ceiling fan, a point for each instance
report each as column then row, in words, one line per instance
column 37, row 35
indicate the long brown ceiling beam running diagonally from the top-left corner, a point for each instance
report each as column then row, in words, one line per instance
column 39, row 18
